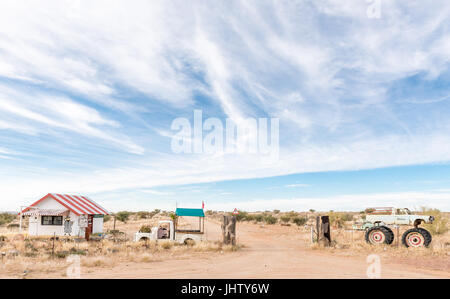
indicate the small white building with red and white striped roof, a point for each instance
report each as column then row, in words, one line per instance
column 64, row 215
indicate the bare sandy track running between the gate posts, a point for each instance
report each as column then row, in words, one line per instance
column 275, row 252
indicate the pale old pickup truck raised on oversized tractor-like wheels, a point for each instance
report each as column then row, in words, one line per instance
column 378, row 232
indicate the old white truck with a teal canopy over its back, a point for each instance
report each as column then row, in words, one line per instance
column 167, row 230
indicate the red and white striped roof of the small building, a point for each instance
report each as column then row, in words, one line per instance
column 79, row 205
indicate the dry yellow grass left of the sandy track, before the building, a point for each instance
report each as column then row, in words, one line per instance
column 33, row 256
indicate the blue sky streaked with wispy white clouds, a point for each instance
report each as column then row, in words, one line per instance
column 89, row 91
